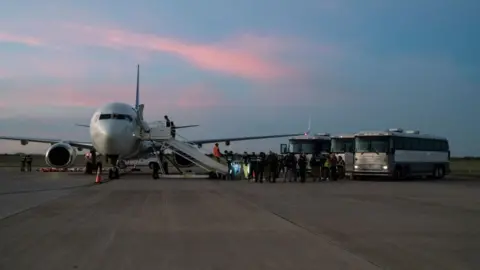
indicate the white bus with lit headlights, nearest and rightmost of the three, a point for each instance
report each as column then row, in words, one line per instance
column 398, row 154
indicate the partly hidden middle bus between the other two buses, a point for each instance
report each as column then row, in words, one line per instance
column 344, row 146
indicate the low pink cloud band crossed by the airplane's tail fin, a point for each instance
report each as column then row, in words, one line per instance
column 78, row 96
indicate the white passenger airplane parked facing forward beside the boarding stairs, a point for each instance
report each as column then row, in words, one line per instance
column 117, row 133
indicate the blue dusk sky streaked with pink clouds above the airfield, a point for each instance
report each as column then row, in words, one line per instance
column 243, row 67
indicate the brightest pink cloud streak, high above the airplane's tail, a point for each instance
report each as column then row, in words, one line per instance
column 249, row 61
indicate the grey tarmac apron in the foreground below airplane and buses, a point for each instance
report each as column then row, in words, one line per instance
column 65, row 221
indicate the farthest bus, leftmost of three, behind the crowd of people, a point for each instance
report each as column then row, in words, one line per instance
column 319, row 143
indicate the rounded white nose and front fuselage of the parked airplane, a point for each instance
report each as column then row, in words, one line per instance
column 115, row 130
